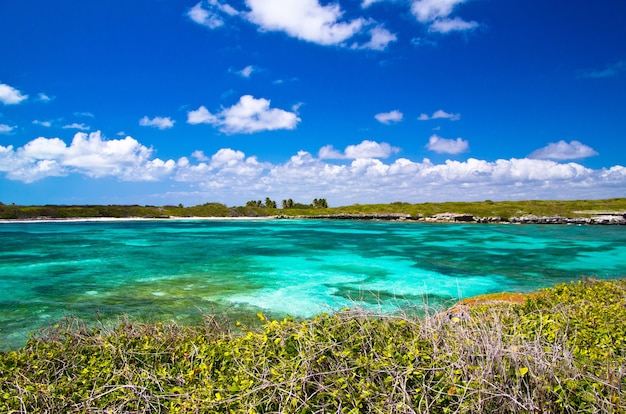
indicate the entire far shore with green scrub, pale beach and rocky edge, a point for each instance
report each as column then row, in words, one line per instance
column 606, row 211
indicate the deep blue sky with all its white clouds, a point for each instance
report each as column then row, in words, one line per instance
column 356, row 101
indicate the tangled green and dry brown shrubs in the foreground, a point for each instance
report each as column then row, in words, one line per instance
column 561, row 350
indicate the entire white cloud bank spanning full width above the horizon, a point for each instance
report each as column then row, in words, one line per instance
column 235, row 177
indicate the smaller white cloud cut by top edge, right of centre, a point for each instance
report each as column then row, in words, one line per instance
column 436, row 14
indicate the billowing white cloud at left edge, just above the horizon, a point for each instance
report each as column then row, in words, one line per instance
column 90, row 155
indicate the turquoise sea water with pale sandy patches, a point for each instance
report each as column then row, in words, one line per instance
column 182, row 269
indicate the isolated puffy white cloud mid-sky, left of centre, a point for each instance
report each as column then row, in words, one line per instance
column 247, row 116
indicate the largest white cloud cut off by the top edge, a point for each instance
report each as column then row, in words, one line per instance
column 307, row 20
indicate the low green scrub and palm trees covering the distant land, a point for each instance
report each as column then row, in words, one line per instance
column 319, row 207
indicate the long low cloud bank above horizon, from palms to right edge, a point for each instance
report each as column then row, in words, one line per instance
column 304, row 177
